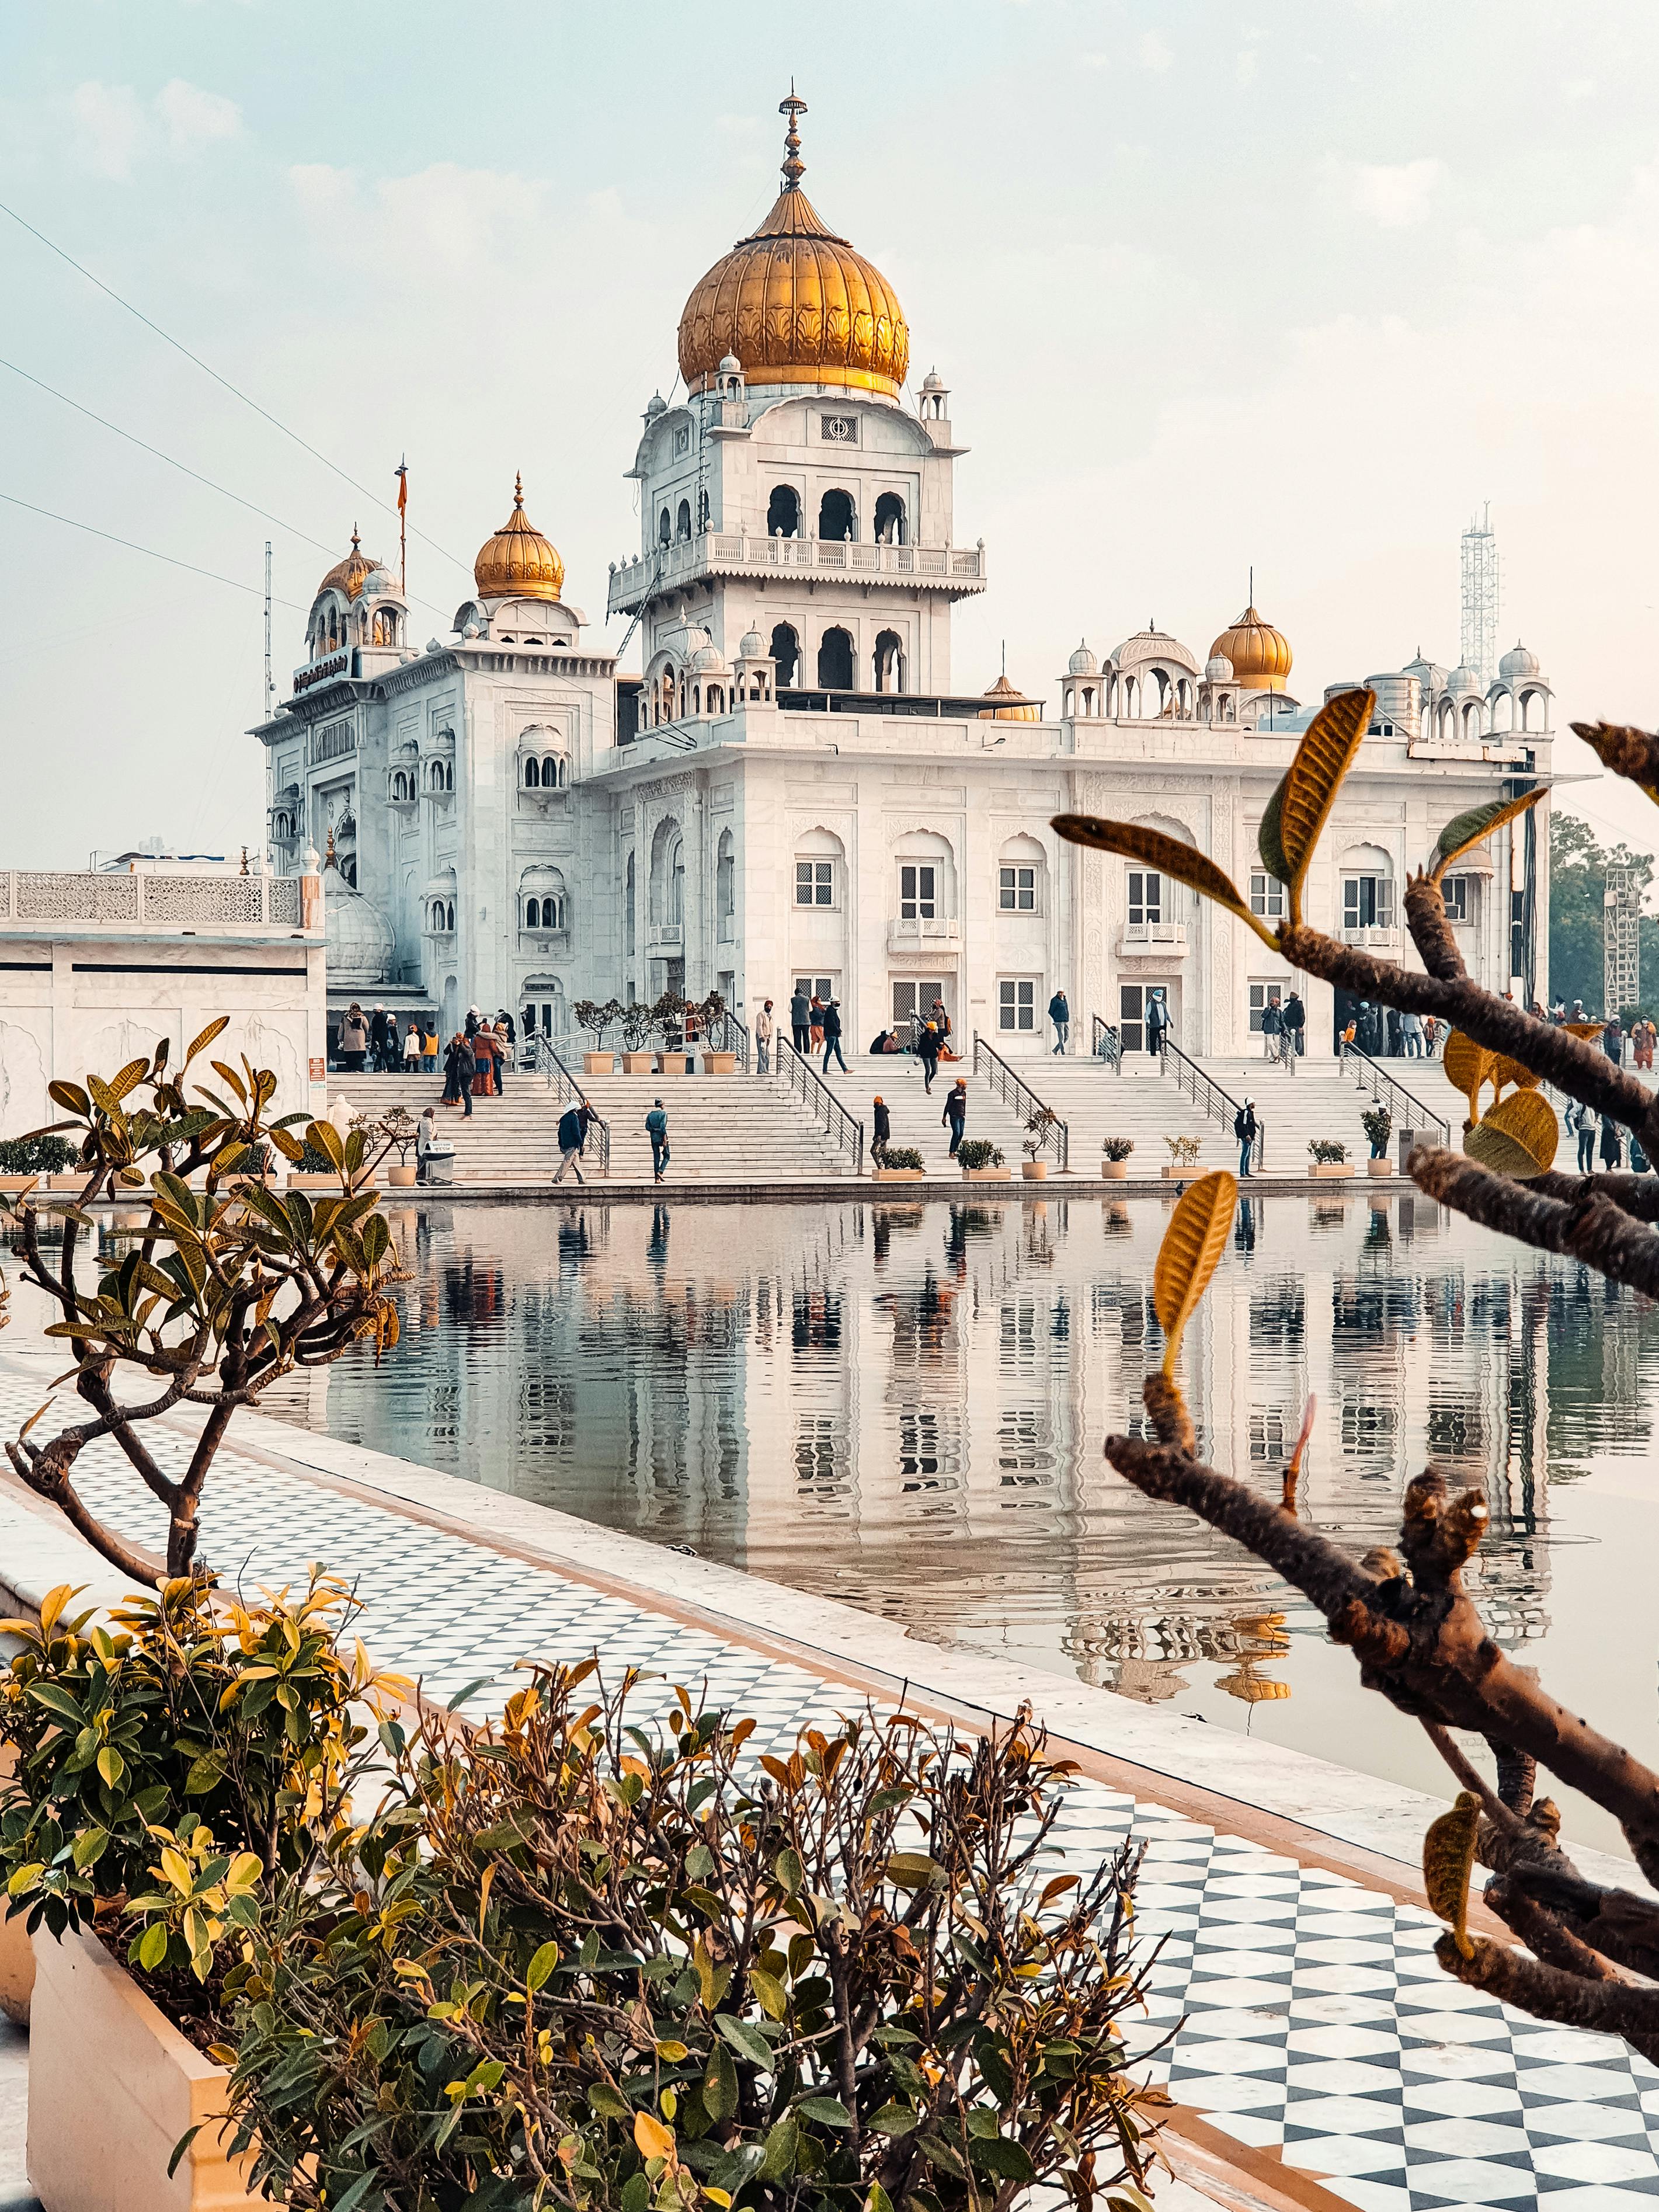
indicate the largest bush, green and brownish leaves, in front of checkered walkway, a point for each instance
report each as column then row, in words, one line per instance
column 585, row 1963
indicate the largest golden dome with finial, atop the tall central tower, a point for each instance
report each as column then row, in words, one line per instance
column 795, row 302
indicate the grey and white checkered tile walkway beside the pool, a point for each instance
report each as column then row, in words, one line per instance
column 1317, row 2023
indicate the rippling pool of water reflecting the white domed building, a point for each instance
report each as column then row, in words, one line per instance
column 904, row 1406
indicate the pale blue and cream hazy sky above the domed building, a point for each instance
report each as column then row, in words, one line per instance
column 1295, row 286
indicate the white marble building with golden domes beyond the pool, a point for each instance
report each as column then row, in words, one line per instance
column 797, row 786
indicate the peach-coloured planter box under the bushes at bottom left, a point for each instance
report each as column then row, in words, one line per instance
column 112, row 2089
